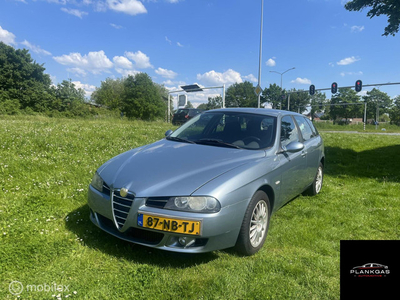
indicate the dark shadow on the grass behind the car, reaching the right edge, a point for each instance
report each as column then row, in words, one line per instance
column 380, row 163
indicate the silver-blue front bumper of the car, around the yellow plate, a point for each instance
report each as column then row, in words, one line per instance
column 218, row 230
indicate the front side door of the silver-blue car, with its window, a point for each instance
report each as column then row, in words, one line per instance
column 293, row 165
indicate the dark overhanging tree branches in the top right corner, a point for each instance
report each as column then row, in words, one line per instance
column 390, row 8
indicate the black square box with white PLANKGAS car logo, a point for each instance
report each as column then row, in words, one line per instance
column 355, row 253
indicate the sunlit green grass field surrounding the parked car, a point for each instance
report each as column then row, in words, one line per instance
column 48, row 241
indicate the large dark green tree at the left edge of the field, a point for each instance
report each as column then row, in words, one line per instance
column 23, row 81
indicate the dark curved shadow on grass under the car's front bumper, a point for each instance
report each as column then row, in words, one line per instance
column 79, row 223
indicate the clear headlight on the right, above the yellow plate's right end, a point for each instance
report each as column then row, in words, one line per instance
column 194, row 204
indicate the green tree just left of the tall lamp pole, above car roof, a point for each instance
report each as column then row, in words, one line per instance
column 241, row 95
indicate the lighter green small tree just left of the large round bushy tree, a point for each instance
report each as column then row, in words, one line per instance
column 109, row 93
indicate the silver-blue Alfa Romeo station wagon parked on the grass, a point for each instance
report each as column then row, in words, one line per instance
column 211, row 184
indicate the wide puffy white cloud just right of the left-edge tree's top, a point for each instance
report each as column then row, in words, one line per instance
column 94, row 62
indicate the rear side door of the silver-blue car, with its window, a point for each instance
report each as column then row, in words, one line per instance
column 312, row 143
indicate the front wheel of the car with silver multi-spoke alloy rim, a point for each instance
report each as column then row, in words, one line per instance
column 255, row 225
